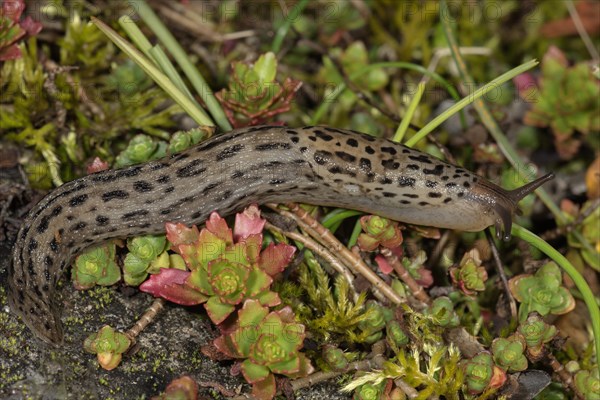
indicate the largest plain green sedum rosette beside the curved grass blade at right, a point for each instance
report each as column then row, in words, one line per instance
column 542, row 292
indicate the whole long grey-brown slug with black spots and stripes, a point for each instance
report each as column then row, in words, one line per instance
column 316, row 165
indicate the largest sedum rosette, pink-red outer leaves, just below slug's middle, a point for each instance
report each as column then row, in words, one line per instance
column 225, row 267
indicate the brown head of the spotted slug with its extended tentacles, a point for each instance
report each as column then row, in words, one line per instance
column 502, row 204
